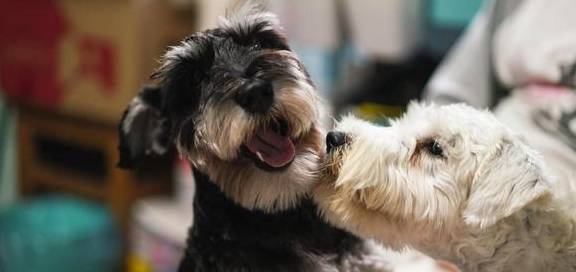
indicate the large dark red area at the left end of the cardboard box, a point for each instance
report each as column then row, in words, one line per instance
column 30, row 32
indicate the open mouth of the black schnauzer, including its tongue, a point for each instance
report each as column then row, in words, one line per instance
column 271, row 148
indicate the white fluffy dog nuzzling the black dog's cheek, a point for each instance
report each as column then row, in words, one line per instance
column 452, row 182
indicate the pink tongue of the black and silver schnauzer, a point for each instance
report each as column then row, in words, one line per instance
column 274, row 149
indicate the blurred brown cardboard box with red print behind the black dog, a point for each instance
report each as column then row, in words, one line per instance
column 85, row 57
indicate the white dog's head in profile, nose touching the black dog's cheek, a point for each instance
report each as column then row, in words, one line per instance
column 435, row 170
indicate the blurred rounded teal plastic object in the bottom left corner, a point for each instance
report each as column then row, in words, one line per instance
column 58, row 233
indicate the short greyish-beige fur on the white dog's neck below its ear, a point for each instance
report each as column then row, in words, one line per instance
column 530, row 240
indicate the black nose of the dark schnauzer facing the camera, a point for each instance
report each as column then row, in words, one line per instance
column 257, row 96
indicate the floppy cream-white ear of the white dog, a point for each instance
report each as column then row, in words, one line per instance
column 507, row 180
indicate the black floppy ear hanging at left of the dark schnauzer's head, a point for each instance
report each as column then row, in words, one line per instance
column 143, row 131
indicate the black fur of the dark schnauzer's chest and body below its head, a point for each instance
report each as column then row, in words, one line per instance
column 227, row 237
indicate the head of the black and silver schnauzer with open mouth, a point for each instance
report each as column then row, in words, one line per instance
column 240, row 105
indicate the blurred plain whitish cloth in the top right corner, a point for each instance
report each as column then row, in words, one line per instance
column 536, row 44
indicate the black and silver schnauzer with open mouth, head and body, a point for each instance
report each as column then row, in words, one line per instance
column 240, row 105
